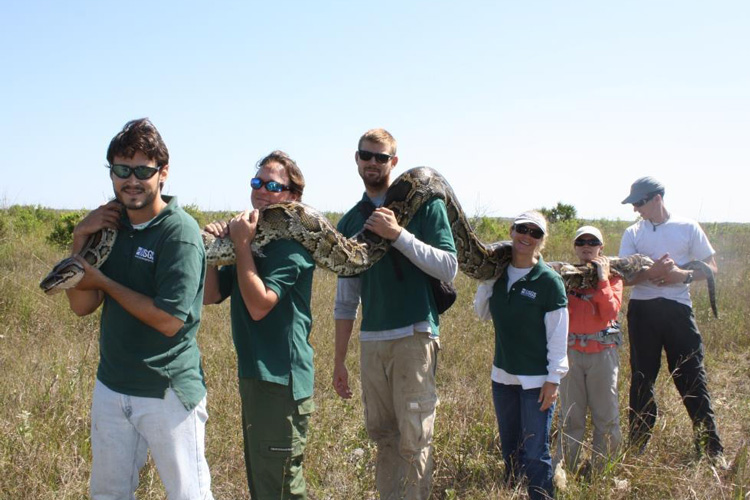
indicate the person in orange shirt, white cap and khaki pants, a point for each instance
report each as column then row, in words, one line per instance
column 593, row 357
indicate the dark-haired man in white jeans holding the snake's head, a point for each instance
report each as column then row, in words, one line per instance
column 149, row 392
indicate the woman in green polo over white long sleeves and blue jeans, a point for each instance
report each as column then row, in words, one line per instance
column 527, row 305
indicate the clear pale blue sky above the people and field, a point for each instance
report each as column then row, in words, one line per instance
column 519, row 104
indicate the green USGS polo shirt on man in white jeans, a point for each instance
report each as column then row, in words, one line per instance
column 164, row 261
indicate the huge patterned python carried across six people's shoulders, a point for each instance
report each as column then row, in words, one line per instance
column 352, row 256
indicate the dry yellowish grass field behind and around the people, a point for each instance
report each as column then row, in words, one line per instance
column 48, row 360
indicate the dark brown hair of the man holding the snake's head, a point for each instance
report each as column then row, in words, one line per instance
column 139, row 135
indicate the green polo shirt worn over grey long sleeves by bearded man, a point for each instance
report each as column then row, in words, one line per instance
column 390, row 301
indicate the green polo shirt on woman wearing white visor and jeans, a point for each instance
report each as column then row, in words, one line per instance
column 518, row 316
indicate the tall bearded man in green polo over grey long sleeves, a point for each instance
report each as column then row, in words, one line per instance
column 399, row 330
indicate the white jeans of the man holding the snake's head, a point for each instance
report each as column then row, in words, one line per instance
column 124, row 428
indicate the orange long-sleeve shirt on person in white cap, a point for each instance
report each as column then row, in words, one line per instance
column 594, row 312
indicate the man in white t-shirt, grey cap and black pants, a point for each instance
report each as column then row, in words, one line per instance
column 660, row 315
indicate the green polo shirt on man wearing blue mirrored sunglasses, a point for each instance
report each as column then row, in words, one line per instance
column 276, row 348
